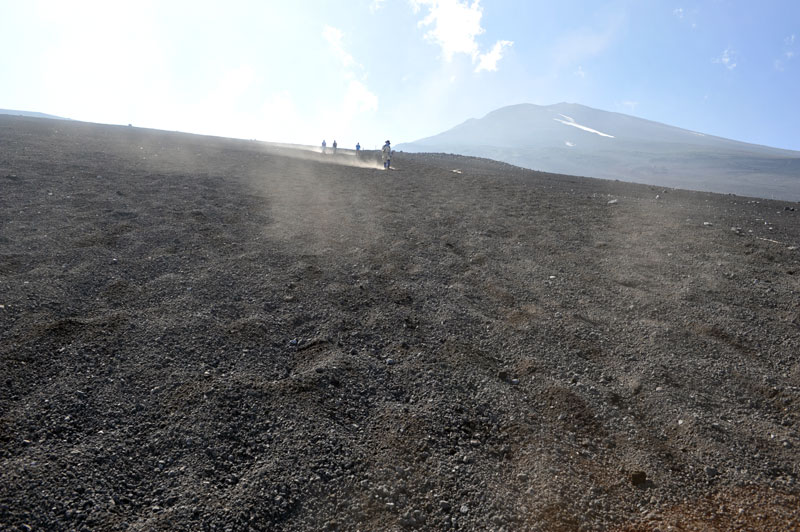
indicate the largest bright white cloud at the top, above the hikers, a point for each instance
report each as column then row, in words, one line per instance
column 454, row 26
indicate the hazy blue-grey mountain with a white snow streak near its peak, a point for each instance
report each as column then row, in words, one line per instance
column 569, row 138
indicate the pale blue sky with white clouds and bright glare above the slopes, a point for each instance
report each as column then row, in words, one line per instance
column 369, row 70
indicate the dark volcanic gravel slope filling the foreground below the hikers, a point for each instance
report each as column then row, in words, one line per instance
column 199, row 333
